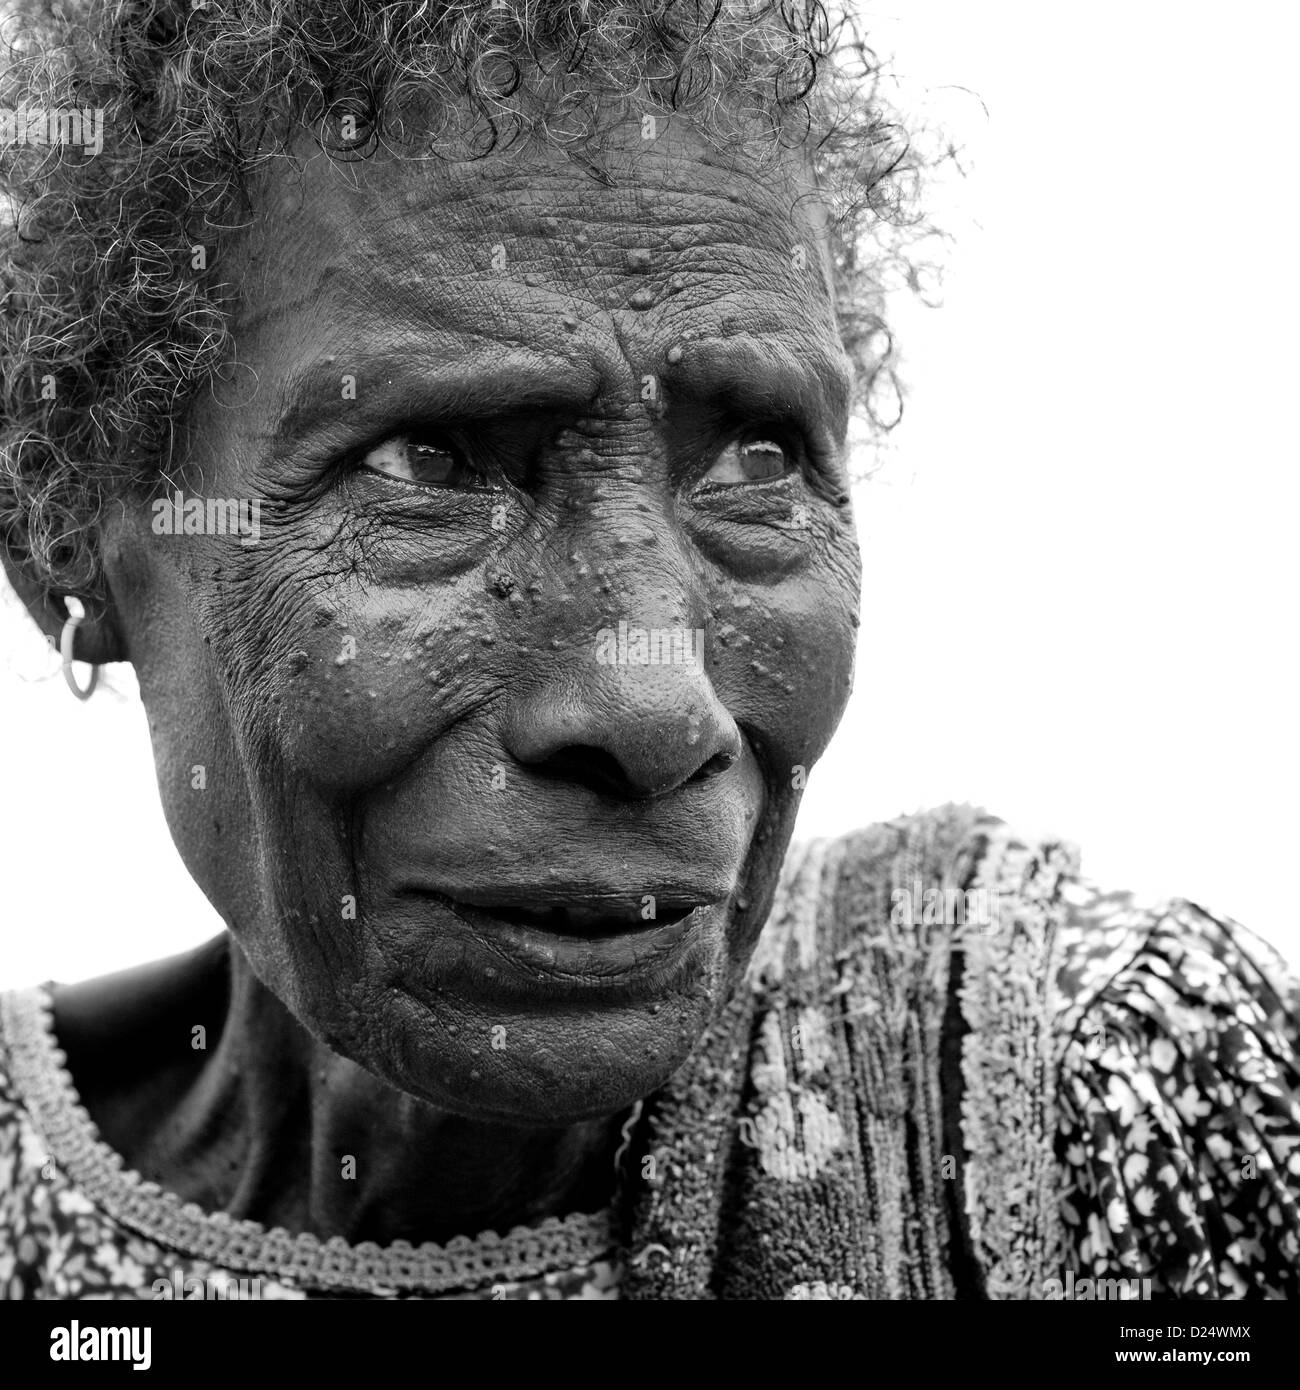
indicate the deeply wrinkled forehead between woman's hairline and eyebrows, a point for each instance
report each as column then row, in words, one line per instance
column 646, row 244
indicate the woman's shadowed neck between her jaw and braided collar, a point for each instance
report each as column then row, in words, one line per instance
column 268, row 1124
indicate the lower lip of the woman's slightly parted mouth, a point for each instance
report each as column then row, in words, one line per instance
column 511, row 954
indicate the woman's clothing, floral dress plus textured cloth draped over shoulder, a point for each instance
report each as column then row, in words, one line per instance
column 1087, row 1095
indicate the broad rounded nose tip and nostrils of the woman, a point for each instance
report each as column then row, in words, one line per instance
column 633, row 732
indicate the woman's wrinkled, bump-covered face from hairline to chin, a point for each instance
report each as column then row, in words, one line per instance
column 494, row 411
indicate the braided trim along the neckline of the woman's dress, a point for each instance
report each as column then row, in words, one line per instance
column 38, row 1071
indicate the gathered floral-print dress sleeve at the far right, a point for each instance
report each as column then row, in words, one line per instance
column 1180, row 1103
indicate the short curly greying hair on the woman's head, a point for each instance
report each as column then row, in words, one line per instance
column 111, row 322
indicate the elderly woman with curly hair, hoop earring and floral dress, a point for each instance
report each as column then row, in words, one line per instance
column 443, row 407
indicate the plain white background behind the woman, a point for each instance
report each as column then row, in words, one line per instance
column 1080, row 594
